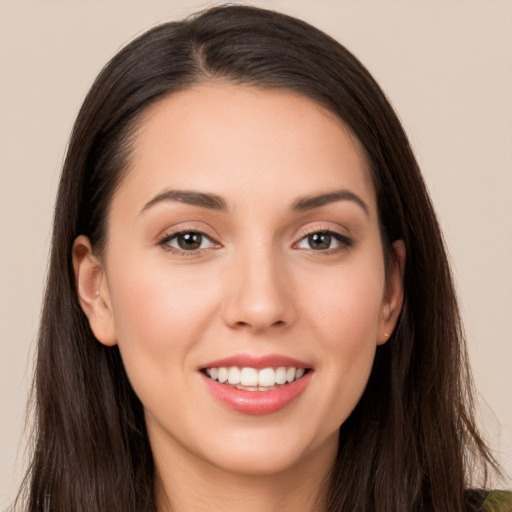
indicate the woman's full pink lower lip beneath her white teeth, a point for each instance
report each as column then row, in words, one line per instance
column 257, row 402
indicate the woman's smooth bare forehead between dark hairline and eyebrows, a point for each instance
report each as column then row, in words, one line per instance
column 226, row 138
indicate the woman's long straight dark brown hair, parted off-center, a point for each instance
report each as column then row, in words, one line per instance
column 410, row 444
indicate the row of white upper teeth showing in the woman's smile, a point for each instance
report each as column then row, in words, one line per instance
column 252, row 379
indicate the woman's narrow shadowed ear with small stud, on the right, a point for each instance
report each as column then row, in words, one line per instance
column 393, row 293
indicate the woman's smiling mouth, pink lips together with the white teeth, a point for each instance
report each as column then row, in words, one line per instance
column 256, row 385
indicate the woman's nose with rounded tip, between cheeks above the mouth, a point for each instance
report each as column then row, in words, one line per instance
column 259, row 295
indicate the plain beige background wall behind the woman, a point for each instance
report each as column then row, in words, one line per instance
column 445, row 64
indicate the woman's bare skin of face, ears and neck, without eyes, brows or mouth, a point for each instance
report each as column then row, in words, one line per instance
column 256, row 286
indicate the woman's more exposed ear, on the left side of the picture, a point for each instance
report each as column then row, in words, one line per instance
column 93, row 293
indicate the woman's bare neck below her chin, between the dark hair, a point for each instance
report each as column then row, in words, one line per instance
column 186, row 485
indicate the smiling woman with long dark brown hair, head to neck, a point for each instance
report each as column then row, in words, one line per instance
column 249, row 303
